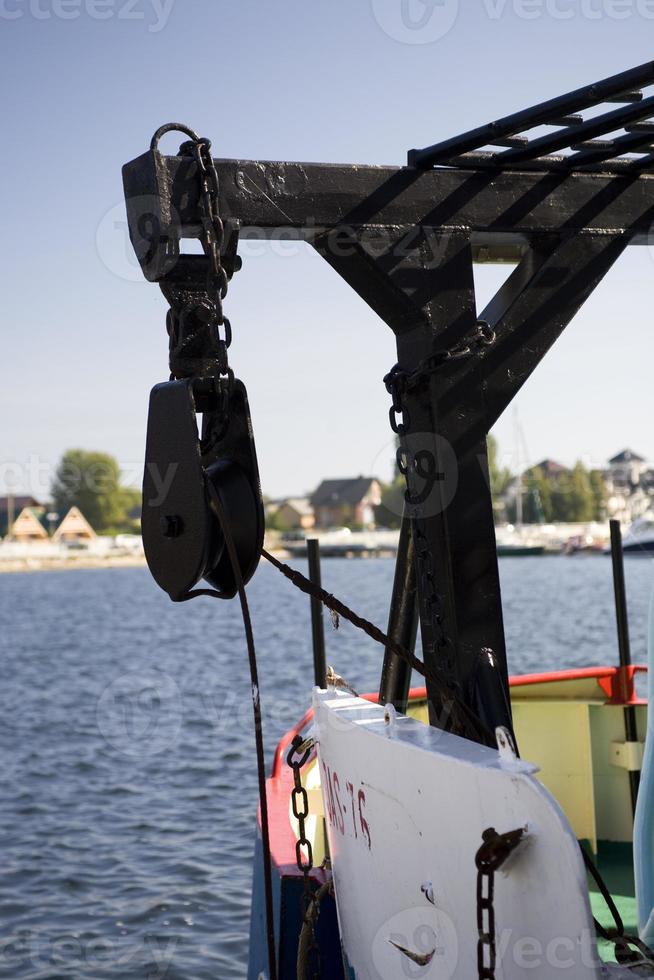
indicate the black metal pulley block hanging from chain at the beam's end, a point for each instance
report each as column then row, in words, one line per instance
column 183, row 538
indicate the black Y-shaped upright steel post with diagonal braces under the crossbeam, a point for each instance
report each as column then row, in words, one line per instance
column 427, row 297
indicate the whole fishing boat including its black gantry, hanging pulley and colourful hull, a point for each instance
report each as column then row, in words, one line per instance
column 447, row 832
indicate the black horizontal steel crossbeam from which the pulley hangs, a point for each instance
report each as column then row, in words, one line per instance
column 268, row 198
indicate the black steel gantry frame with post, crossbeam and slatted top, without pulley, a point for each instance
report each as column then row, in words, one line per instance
column 405, row 239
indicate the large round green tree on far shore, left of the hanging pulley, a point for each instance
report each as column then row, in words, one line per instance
column 91, row 481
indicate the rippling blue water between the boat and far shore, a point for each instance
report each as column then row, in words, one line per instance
column 127, row 789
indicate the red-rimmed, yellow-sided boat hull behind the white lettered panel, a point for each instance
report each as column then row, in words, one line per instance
column 552, row 711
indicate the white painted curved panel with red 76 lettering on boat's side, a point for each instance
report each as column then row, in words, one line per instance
column 406, row 806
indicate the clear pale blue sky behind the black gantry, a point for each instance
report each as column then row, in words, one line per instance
column 338, row 80
